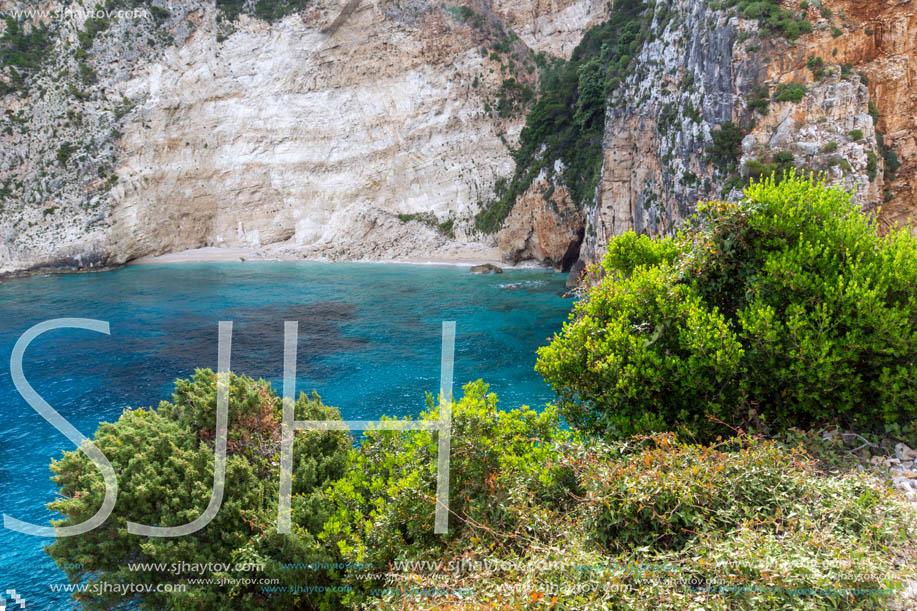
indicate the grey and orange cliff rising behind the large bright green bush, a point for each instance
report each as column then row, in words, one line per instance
column 712, row 66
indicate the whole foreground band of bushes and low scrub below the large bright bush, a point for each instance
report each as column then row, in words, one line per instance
column 648, row 523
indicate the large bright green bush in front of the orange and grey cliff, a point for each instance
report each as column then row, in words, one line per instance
column 786, row 310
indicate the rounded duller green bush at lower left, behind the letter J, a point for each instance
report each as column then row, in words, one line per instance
column 164, row 461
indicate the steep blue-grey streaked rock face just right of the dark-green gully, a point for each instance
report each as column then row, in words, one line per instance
column 687, row 82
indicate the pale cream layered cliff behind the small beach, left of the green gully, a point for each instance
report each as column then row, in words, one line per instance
column 351, row 130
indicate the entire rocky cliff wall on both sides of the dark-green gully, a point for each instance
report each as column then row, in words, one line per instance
column 378, row 129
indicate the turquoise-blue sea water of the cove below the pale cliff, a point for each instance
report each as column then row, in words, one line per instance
column 369, row 343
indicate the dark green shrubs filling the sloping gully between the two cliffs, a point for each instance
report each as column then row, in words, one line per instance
column 567, row 122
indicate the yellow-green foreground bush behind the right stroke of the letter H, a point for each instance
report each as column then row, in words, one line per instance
column 385, row 503
